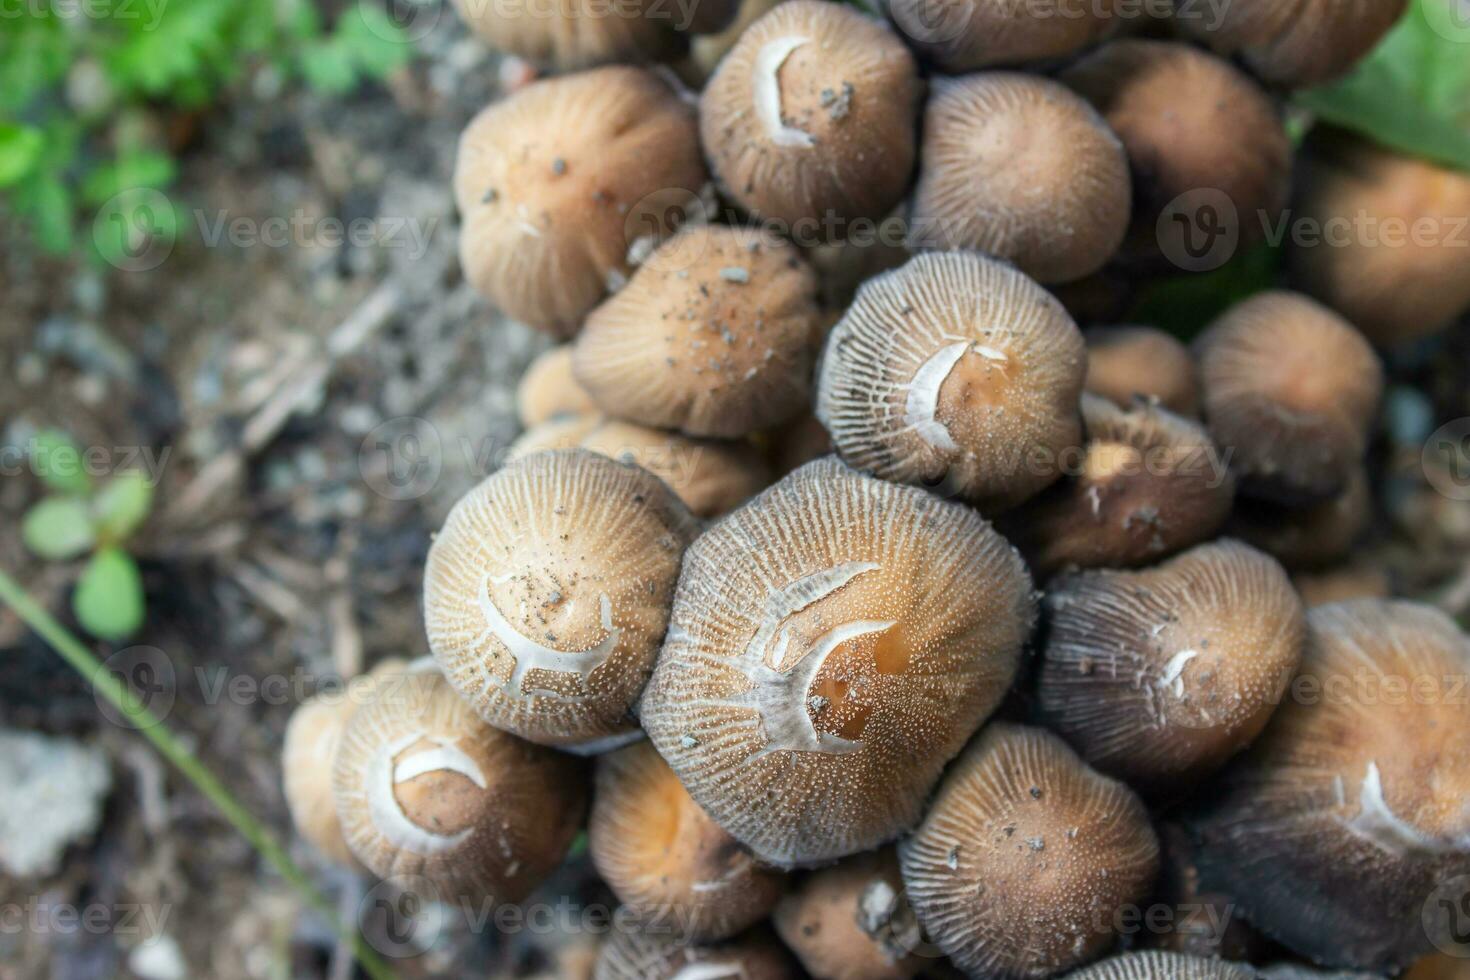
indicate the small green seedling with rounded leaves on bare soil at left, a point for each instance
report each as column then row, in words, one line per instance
column 82, row 518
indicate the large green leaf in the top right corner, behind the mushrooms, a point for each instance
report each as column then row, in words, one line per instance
column 1412, row 93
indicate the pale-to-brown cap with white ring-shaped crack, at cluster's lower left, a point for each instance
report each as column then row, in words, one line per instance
column 426, row 788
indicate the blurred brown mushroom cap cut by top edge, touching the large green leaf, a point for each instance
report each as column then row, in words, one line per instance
column 1294, row 43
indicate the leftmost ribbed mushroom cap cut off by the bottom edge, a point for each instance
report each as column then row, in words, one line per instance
column 659, row 954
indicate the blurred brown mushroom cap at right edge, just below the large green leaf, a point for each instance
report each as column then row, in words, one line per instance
column 1368, row 199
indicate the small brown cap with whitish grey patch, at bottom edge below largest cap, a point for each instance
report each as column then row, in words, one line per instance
column 852, row 922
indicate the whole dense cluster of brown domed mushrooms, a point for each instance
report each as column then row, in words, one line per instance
column 899, row 612
